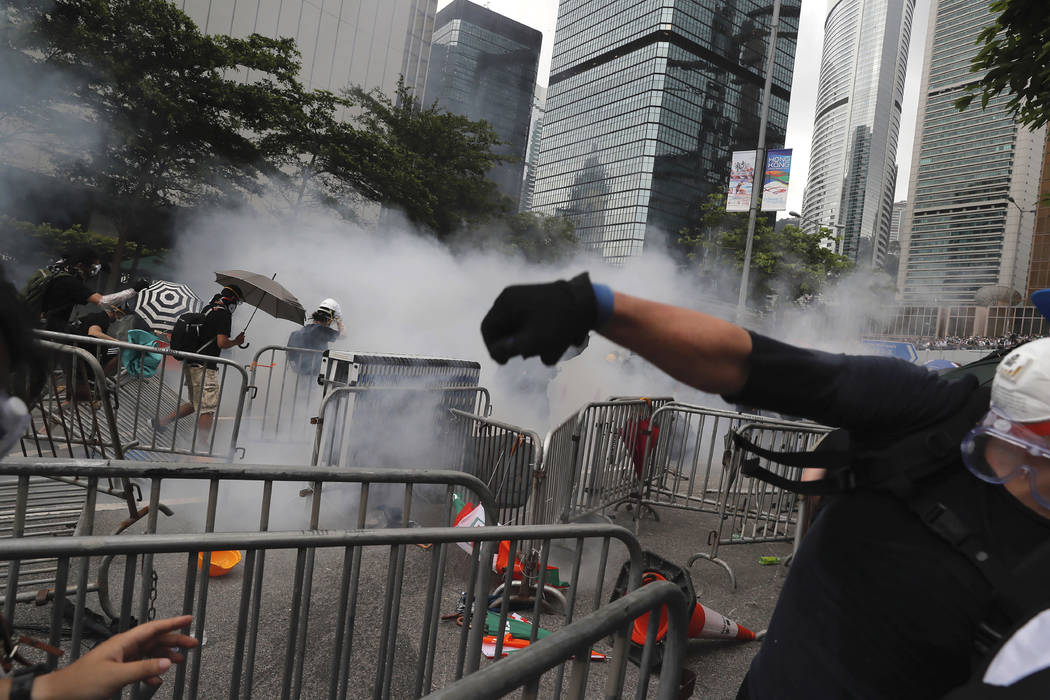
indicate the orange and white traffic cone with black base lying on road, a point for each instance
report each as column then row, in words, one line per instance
column 705, row 623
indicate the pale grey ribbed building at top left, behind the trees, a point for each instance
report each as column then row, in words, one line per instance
column 371, row 44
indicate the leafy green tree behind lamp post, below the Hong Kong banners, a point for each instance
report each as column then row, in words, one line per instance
column 790, row 263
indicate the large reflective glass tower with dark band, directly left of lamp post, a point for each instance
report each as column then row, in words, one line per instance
column 646, row 102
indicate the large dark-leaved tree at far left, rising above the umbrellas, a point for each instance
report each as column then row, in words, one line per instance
column 176, row 123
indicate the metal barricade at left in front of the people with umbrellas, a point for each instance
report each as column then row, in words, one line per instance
column 89, row 413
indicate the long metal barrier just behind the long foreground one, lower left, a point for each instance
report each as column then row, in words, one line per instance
column 216, row 497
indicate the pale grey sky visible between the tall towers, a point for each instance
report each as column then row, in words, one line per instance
column 543, row 16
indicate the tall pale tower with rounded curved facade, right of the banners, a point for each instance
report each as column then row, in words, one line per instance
column 853, row 168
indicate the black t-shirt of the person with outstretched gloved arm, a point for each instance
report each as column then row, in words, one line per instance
column 875, row 605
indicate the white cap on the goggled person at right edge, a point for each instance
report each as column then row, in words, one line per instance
column 1021, row 390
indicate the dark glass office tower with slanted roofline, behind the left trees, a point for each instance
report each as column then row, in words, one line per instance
column 484, row 67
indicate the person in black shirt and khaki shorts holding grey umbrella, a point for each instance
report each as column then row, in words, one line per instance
column 202, row 379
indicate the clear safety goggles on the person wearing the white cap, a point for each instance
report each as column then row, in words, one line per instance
column 999, row 450
